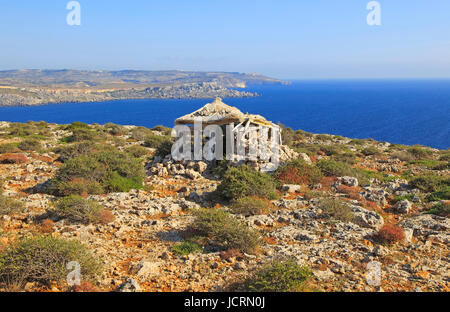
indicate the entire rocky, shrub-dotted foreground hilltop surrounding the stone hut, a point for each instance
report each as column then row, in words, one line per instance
column 140, row 221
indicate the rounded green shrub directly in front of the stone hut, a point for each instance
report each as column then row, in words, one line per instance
column 244, row 181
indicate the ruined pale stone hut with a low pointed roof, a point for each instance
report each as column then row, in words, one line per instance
column 238, row 128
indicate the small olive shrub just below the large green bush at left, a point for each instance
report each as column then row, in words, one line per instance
column 78, row 209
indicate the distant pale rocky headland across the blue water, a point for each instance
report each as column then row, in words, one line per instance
column 34, row 87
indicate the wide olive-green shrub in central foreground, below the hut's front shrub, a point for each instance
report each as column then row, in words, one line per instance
column 226, row 231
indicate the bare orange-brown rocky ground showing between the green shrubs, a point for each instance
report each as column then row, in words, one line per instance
column 137, row 247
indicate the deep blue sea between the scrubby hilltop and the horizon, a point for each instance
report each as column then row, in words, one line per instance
column 397, row 111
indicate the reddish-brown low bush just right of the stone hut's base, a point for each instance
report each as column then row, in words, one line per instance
column 298, row 172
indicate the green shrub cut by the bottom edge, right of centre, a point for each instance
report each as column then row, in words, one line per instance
column 280, row 276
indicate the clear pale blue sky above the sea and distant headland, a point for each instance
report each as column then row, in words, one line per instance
column 281, row 38
